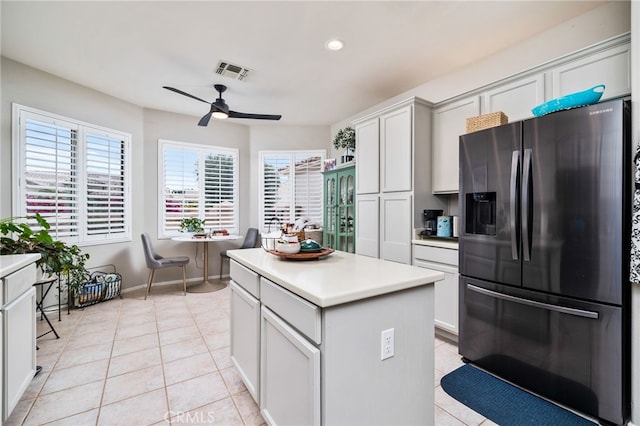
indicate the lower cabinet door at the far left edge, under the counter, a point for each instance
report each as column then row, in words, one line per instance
column 19, row 348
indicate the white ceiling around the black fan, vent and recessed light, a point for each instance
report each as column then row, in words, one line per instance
column 131, row 49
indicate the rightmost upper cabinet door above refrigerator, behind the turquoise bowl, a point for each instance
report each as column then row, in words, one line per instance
column 611, row 67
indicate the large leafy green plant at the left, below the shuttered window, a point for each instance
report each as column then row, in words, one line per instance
column 56, row 257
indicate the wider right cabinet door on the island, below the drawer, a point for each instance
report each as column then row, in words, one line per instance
column 289, row 374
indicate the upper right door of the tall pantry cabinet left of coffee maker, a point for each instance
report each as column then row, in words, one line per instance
column 395, row 143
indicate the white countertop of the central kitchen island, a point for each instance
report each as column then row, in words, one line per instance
column 335, row 279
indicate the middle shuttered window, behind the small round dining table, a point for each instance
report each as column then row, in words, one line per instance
column 197, row 181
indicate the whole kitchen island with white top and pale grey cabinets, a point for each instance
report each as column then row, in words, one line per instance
column 346, row 339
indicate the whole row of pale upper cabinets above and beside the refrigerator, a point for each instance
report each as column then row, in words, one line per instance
column 607, row 63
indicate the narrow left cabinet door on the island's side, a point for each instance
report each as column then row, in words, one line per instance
column 245, row 338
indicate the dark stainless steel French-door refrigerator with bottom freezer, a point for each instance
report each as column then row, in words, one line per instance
column 544, row 255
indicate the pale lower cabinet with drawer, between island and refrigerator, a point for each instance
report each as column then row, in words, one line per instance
column 446, row 291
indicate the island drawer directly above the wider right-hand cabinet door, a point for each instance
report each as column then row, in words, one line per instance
column 301, row 314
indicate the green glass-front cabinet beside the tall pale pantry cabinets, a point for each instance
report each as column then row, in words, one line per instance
column 339, row 209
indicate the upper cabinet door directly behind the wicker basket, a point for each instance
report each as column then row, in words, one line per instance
column 516, row 99
